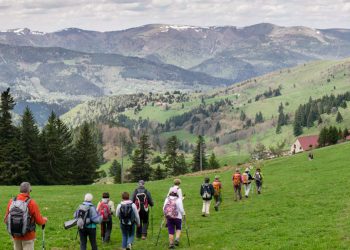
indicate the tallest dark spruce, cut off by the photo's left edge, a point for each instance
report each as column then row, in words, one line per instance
column 14, row 167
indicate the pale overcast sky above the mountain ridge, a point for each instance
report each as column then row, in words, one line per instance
column 103, row 15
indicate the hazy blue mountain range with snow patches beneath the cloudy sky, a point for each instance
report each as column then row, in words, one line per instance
column 61, row 69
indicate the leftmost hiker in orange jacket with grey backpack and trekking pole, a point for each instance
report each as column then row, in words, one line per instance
column 18, row 210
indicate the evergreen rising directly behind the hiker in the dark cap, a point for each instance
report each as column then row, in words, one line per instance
column 140, row 169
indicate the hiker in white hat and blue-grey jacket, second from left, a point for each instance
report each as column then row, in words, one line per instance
column 87, row 217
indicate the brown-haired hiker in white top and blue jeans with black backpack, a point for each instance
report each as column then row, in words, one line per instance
column 128, row 216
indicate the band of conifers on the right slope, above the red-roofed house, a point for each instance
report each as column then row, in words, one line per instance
column 306, row 115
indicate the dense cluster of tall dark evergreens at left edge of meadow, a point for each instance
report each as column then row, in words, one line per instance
column 46, row 157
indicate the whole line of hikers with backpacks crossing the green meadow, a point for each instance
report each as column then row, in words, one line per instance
column 22, row 214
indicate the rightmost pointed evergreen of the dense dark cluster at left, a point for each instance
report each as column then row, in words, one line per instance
column 85, row 157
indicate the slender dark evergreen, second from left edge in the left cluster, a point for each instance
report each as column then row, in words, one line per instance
column 31, row 145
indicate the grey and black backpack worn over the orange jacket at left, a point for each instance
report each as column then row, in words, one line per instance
column 18, row 219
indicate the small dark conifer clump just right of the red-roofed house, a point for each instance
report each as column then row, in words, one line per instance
column 331, row 135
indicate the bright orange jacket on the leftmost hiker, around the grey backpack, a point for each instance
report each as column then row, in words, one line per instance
column 33, row 212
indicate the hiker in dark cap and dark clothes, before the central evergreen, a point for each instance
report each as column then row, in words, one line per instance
column 142, row 199
